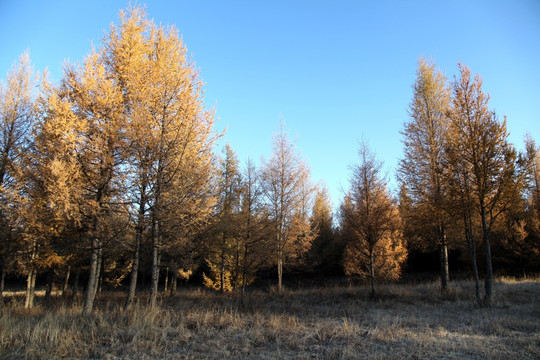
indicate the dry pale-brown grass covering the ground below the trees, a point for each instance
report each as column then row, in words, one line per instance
column 411, row 322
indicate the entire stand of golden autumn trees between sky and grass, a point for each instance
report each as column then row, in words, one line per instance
column 112, row 178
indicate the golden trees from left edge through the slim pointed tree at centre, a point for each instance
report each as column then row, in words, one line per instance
column 114, row 169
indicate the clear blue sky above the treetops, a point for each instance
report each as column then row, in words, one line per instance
column 337, row 72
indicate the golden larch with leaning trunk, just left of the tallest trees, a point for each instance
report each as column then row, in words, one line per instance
column 96, row 101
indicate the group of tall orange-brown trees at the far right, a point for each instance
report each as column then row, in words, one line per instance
column 460, row 177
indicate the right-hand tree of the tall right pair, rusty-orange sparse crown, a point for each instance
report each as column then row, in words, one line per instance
column 495, row 171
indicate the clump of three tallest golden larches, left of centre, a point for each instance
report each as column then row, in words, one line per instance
column 142, row 102
